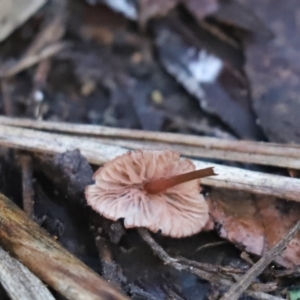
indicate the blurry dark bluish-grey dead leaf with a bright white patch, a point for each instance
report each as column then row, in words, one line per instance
column 212, row 78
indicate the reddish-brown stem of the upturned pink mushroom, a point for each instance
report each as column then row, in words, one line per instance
column 160, row 185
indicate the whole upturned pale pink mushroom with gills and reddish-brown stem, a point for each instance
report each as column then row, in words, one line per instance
column 153, row 189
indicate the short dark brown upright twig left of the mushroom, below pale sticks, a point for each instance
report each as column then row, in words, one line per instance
column 26, row 165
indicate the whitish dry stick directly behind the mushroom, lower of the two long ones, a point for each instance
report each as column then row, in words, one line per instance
column 99, row 153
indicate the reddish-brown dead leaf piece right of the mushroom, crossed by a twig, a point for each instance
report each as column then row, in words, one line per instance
column 256, row 223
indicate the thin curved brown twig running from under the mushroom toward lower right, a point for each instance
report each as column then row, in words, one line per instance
column 204, row 274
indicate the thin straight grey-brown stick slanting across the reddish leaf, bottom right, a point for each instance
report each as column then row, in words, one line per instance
column 244, row 282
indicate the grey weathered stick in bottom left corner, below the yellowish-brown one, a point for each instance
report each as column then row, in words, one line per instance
column 19, row 282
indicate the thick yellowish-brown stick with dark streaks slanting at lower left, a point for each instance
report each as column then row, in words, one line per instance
column 47, row 259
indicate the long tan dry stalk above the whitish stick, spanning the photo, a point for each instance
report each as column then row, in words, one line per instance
column 243, row 151
